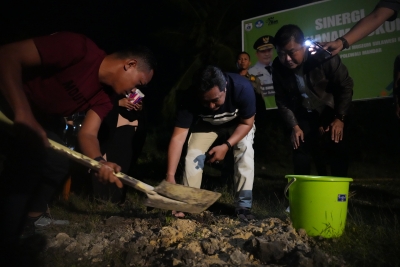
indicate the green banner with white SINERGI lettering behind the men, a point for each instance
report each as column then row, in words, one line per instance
column 370, row 61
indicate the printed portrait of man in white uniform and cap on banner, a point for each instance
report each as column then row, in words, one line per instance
column 263, row 68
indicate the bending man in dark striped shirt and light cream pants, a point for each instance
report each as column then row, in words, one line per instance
column 219, row 104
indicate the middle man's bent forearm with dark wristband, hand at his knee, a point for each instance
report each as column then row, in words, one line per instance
column 218, row 152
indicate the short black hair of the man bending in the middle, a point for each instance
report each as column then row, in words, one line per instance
column 208, row 77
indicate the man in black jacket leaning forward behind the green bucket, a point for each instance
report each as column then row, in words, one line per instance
column 314, row 97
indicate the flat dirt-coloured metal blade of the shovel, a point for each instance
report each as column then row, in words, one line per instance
column 182, row 198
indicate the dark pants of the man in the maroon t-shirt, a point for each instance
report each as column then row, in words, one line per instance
column 31, row 175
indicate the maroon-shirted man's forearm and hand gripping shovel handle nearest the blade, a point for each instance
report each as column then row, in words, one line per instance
column 89, row 144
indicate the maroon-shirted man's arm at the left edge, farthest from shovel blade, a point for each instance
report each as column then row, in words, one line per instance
column 15, row 58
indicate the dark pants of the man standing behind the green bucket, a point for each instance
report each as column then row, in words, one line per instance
column 319, row 148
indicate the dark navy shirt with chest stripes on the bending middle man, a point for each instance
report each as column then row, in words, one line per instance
column 239, row 103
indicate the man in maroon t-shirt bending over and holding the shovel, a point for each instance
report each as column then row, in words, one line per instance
column 41, row 80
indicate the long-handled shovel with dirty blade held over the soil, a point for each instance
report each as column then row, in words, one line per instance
column 166, row 195
